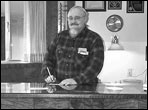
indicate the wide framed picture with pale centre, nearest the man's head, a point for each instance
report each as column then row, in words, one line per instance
column 94, row 5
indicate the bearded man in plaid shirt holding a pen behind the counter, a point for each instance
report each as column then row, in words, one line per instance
column 76, row 55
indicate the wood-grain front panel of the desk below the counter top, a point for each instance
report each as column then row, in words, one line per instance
column 67, row 103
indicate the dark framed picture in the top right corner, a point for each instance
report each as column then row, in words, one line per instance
column 135, row 6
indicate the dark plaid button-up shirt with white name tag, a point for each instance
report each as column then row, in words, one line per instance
column 80, row 58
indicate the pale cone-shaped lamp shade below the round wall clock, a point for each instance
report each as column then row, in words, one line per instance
column 115, row 44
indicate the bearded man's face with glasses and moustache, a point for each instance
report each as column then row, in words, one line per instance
column 76, row 20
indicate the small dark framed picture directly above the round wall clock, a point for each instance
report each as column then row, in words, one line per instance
column 114, row 5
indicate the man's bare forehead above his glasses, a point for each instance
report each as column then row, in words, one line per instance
column 76, row 12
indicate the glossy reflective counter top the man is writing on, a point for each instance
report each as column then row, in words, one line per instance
column 100, row 90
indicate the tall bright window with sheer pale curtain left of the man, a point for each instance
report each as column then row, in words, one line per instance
column 25, row 30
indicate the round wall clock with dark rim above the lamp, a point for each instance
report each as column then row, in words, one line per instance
column 114, row 23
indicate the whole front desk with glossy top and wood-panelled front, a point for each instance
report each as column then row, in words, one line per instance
column 92, row 96
